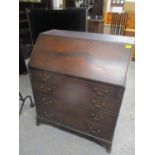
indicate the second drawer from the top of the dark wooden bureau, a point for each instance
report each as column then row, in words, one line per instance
column 78, row 97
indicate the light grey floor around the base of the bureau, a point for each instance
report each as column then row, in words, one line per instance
column 47, row 140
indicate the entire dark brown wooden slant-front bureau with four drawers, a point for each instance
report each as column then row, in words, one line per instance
column 78, row 81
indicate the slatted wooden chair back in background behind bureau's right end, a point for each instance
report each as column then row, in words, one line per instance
column 118, row 23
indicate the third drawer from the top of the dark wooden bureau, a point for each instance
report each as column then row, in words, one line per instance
column 78, row 109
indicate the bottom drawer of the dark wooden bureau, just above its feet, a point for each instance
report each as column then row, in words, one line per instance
column 74, row 122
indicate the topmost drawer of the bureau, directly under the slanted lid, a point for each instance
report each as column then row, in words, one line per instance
column 105, row 91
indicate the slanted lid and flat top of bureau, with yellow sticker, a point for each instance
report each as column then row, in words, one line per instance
column 98, row 57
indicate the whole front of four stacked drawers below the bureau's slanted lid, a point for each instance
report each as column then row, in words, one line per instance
column 65, row 100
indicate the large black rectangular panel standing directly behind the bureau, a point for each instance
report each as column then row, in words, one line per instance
column 66, row 19
